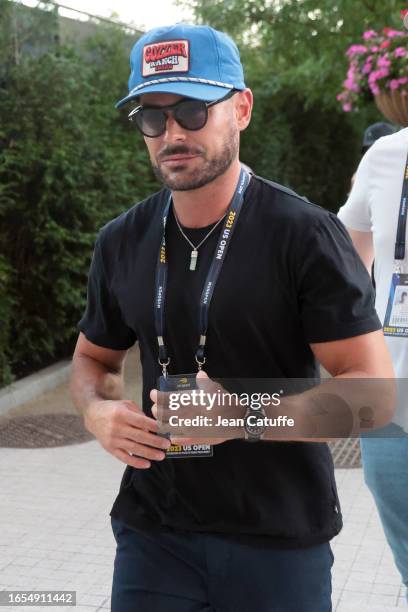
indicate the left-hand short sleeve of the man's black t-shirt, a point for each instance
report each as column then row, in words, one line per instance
column 102, row 322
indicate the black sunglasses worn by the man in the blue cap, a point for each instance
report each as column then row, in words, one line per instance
column 190, row 114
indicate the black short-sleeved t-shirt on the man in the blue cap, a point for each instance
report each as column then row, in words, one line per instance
column 291, row 277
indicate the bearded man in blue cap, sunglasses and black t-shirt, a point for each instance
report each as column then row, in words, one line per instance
column 247, row 277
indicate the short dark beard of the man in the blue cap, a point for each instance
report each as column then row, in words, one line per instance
column 179, row 178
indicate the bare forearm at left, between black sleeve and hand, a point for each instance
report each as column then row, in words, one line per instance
column 92, row 381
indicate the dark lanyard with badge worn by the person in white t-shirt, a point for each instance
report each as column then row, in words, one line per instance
column 396, row 316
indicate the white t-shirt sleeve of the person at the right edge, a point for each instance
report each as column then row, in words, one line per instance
column 356, row 214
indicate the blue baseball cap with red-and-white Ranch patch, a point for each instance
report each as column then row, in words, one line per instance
column 194, row 61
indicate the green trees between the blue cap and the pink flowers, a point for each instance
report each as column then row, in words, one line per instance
column 293, row 52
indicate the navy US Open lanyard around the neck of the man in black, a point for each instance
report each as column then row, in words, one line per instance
column 231, row 219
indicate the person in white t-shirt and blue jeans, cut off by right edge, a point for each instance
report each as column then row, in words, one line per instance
column 375, row 217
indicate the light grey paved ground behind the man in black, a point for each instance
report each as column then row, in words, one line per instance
column 55, row 532
